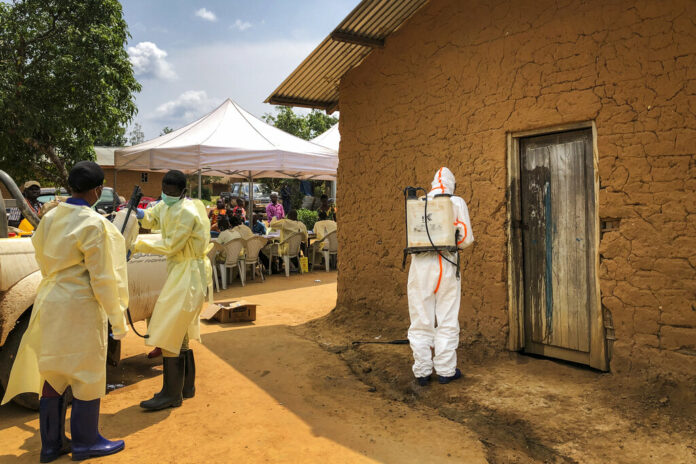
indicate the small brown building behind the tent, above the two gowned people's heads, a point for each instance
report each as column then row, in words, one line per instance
column 149, row 181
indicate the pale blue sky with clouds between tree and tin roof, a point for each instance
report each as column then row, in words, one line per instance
column 189, row 55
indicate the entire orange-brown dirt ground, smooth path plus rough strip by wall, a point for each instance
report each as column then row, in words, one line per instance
column 292, row 388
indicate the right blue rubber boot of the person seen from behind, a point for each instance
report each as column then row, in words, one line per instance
column 87, row 442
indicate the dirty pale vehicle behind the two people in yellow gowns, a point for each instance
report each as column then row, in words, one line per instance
column 19, row 281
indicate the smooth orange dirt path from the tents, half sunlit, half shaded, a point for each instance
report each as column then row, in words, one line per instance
column 264, row 394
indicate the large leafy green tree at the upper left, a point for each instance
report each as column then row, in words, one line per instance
column 65, row 82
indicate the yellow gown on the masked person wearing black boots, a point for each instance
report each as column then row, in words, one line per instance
column 185, row 242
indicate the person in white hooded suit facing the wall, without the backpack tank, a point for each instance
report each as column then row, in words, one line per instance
column 434, row 293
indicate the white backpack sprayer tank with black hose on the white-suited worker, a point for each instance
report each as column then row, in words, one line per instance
column 429, row 225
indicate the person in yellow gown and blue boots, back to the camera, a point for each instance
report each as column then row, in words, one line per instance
column 82, row 258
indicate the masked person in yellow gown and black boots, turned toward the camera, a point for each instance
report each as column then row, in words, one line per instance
column 185, row 241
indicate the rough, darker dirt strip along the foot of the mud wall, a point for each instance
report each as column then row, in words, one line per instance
column 527, row 409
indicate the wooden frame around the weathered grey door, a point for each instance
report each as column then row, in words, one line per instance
column 515, row 268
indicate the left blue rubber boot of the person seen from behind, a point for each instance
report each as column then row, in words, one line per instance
column 54, row 443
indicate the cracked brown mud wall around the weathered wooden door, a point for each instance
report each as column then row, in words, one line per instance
column 457, row 77
